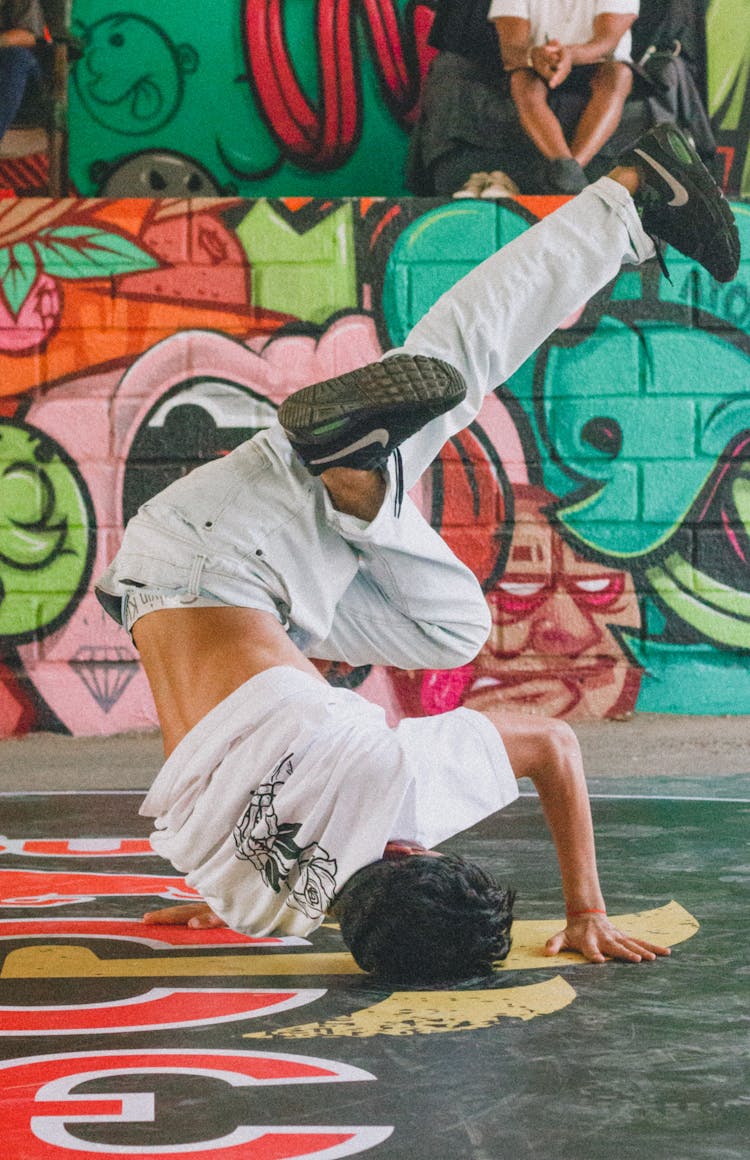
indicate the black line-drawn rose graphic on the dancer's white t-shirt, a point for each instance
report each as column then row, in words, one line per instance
column 271, row 847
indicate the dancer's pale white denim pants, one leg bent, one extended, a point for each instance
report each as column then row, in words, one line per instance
column 254, row 530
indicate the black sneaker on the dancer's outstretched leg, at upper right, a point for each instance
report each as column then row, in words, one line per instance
column 681, row 204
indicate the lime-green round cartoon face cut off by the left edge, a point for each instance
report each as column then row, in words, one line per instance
column 46, row 533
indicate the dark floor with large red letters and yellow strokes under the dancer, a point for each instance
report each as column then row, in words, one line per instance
column 125, row 1041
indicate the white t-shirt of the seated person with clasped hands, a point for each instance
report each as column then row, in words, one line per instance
column 569, row 21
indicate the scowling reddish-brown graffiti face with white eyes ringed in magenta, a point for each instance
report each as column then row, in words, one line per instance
column 552, row 649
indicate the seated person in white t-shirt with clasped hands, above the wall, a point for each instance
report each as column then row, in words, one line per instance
column 547, row 45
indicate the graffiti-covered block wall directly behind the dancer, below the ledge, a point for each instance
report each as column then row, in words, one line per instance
column 602, row 497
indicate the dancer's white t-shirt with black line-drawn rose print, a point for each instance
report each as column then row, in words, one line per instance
column 288, row 787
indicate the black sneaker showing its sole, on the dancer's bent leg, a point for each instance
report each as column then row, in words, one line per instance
column 359, row 419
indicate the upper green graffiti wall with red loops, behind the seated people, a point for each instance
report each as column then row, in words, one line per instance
column 278, row 98
